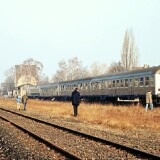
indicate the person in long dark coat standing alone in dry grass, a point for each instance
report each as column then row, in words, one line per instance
column 75, row 97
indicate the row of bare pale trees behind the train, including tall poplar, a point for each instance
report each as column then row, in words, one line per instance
column 73, row 68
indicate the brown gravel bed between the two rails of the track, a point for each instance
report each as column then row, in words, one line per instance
column 84, row 148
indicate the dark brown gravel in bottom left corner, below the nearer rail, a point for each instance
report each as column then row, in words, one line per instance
column 16, row 145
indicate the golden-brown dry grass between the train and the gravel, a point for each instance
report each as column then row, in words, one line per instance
column 120, row 117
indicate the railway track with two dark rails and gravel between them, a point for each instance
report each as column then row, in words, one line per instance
column 72, row 144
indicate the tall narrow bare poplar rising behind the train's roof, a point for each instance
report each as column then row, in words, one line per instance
column 129, row 54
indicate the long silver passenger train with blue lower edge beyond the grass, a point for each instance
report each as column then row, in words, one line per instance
column 122, row 86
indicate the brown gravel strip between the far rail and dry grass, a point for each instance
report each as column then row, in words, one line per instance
column 140, row 139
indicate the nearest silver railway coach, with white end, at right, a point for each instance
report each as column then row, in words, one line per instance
column 127, row 86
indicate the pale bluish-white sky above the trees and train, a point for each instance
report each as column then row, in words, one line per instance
column 92, row 30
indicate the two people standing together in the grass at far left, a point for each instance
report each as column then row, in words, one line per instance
column 23, row 100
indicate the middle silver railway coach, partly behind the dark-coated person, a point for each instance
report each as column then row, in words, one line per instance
column 62, row 90
